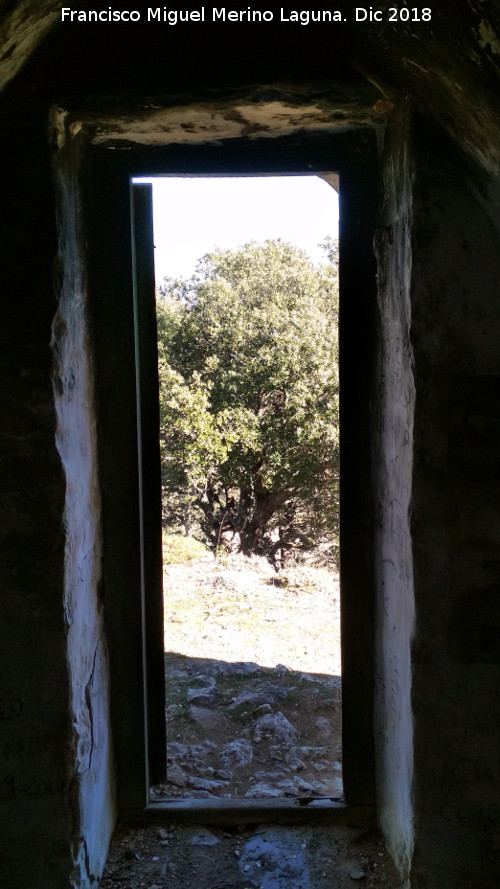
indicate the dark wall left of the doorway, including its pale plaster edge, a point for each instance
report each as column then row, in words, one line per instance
column 56, row 806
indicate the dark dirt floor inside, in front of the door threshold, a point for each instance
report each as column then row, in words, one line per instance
column 259, row 857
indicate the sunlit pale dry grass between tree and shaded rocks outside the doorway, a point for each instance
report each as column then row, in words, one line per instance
column 239, row 609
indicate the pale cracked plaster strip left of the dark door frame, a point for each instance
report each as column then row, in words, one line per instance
column 92, row 787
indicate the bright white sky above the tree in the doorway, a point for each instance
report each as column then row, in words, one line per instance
column 194, row 215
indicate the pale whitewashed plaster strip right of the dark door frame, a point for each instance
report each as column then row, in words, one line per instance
column 393, row 407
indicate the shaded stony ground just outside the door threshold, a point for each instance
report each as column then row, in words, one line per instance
column 258, row 752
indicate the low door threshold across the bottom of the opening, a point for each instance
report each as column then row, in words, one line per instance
column 228, row 812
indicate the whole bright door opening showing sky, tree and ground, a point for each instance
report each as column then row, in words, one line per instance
column 257, row 712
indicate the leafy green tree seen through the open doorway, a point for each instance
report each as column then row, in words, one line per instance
column 249, row 398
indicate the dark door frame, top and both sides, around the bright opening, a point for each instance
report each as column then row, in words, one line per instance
column 135, row 655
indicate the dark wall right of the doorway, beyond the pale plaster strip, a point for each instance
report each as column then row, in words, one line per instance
column 455, row 525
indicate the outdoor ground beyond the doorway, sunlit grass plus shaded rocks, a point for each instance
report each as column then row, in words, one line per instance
column 239, row 729
